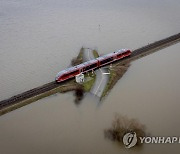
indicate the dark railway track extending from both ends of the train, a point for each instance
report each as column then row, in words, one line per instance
column 138, row 53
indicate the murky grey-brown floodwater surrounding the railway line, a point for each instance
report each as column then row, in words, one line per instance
column 39, row 38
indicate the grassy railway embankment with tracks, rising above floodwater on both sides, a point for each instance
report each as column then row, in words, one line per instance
column 116, row 72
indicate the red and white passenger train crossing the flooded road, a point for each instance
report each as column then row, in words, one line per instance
column 92, row 64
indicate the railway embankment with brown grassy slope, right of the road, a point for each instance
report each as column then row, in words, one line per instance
column 118, row 69
